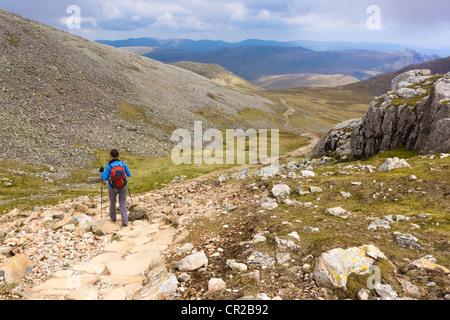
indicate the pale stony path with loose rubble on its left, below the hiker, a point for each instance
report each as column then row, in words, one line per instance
column 78, row 255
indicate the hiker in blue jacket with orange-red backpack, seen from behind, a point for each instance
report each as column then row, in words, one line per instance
column 116, row 174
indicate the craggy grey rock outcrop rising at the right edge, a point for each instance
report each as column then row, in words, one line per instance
column 414, row 114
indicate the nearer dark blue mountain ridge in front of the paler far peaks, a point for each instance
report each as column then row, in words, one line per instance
column 253, row 62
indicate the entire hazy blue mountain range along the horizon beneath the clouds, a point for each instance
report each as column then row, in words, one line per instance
column 256, row 59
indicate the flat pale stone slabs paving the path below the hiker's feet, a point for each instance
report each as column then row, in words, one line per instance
column 119, row 272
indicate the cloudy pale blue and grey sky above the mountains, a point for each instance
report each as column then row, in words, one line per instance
column 413, row 22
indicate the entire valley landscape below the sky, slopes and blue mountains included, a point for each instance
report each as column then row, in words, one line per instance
column 357, row 209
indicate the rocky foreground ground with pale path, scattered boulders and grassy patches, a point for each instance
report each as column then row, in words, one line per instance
column 261, row 233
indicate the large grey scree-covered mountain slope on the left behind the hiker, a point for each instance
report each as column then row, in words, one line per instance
column 63, row 96
